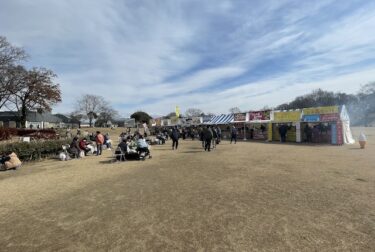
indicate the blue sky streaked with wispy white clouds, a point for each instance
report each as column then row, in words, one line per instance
column 153, row 55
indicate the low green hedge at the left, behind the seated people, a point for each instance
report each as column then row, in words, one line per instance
column 35, row 150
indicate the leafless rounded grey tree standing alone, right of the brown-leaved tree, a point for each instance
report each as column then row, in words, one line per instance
column 91, row 106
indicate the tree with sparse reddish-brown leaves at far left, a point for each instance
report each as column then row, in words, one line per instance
column 37, row 91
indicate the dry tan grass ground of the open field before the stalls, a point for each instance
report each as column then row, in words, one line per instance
column 249, row 196
